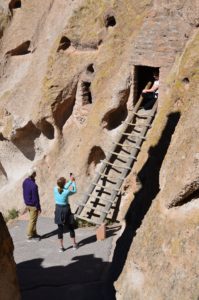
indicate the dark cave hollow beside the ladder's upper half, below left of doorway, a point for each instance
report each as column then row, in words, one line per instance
column 113, row 118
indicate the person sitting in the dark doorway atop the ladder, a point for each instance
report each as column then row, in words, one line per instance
column 151, row 95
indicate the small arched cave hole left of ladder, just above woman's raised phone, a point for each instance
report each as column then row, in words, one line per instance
column 95, row 156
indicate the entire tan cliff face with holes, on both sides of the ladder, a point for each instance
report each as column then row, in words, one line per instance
column 68, row 76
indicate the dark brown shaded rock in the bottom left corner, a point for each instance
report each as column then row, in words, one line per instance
column 9, row 288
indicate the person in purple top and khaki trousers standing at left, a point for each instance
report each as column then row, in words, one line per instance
column 32, row 202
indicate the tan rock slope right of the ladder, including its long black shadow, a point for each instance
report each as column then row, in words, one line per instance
column 162, row 221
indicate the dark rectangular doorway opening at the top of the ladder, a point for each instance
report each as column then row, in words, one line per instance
column 143, row 75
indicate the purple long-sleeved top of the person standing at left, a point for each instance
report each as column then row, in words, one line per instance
column 30, row 193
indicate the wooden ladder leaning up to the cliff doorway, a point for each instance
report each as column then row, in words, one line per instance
column 104, row 191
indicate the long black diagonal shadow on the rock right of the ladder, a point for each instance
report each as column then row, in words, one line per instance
column 149, row 178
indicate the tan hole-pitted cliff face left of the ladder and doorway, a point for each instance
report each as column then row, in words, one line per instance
column 61, row 85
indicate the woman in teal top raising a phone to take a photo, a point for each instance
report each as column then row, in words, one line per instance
column 62, row 209
